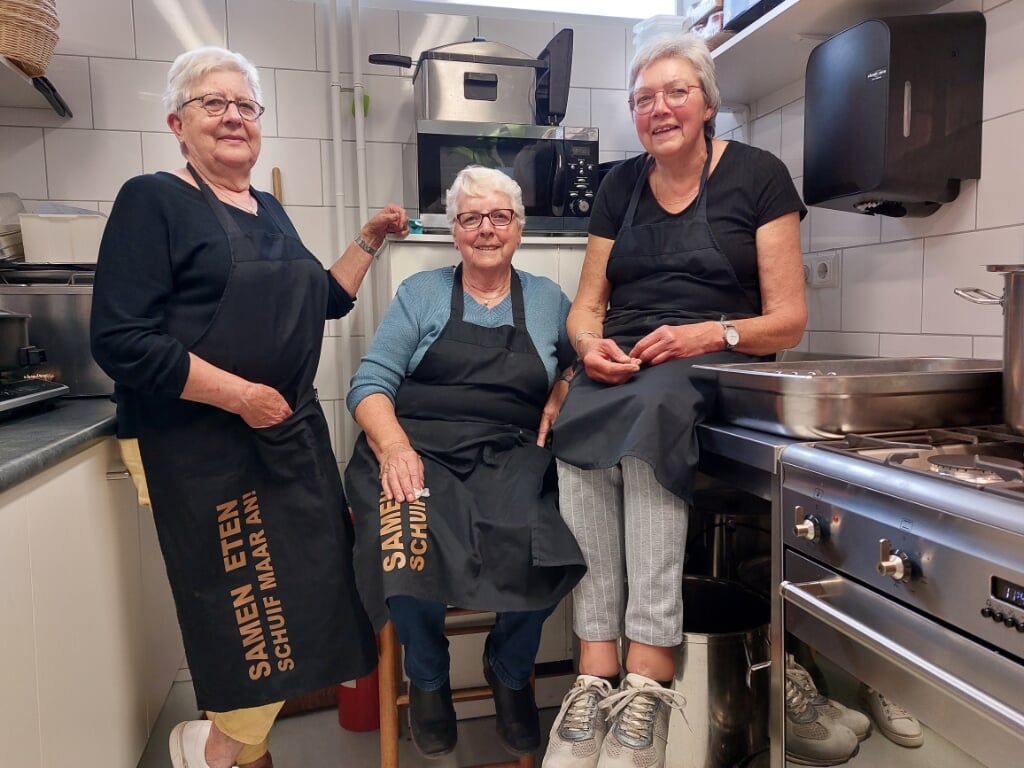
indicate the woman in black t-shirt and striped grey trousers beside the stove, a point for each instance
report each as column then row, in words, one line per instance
column 693, row 257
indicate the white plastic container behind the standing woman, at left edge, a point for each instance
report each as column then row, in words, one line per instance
column 62, row 239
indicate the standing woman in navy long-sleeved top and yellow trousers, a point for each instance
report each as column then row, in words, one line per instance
column 208, row 314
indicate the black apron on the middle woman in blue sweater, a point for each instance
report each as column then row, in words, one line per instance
column 490, row 536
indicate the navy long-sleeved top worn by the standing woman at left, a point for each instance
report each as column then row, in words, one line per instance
column 164, row 251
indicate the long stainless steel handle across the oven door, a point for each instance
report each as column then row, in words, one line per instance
column 802, row 596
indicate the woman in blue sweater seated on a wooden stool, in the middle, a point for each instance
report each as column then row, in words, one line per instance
column 452, row 488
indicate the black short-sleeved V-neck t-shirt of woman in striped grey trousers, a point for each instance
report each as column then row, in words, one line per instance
column 748, row 189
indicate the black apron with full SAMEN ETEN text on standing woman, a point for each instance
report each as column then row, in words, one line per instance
column 253, row 523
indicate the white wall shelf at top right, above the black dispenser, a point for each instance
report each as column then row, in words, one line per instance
column 773, row 53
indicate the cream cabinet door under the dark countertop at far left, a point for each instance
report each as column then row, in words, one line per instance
column 87, row 579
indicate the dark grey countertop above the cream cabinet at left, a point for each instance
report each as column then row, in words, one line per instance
column 35, row 442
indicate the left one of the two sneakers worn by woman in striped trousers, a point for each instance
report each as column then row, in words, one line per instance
column 580, row 728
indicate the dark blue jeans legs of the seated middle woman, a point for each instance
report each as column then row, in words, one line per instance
column 511, row 647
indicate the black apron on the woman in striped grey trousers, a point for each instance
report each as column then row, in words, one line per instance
column 670, row 273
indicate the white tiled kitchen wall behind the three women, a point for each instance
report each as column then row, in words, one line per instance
column 898, row 275
